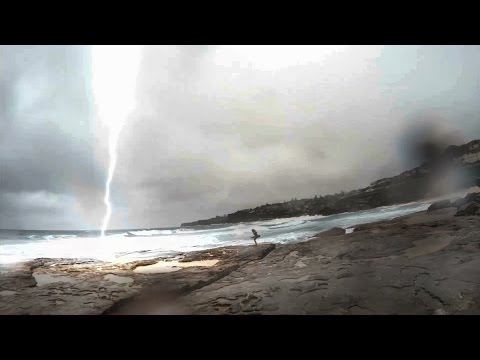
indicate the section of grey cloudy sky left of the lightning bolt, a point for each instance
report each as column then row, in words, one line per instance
column 49, row 177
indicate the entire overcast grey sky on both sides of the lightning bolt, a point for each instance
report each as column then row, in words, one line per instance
column 219, row 128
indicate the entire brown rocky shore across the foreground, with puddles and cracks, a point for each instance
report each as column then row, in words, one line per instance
column 425, row 263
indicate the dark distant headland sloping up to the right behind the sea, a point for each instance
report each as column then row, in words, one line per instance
column 411, row 185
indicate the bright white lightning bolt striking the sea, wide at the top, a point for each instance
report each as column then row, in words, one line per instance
column 115, row 71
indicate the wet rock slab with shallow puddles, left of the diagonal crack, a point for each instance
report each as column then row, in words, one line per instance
column 88, row 287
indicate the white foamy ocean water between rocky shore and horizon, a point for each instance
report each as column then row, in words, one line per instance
column 128, row 245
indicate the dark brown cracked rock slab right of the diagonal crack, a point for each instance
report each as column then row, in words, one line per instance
column 419, row 264
